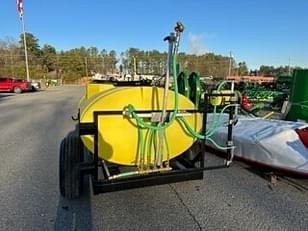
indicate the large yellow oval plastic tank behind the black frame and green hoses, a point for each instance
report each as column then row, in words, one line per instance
column 118, row 134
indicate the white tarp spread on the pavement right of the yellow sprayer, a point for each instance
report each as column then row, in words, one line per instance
column 272, row 142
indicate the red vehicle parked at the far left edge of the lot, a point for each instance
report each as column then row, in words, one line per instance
column 15, row 85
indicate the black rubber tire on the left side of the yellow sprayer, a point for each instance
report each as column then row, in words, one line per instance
column 71, row 151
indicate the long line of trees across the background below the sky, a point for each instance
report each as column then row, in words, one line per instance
column 47, row 62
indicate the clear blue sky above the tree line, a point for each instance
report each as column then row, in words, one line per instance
column 259, row 32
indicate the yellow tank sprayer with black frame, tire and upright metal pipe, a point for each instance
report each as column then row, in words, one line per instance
column 134, row 134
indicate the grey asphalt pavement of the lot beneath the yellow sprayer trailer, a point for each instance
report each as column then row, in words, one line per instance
column 32, row 126
